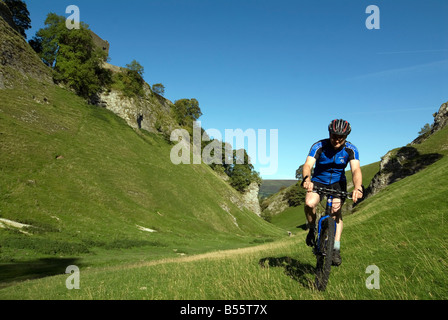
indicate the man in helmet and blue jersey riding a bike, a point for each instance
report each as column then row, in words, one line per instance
column 330, row 157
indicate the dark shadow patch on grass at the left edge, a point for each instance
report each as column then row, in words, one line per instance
column 21, row 271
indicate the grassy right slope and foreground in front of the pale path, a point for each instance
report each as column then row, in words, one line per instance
column 401, row 231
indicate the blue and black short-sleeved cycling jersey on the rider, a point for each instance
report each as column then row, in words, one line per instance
column 330, row 163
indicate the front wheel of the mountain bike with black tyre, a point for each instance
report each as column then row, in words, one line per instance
column 325, row 254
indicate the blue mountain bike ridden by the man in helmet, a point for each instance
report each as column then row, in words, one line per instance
column 325, row 233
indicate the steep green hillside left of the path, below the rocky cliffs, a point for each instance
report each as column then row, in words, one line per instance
column 87, row 183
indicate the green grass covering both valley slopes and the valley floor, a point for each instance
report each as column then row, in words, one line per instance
column 85, row 208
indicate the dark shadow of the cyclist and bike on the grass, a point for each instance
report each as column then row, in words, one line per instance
column 295, row 269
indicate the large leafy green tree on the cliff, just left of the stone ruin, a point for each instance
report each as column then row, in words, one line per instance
column 76, row 61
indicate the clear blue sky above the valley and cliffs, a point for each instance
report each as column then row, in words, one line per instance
column 290, row 66
